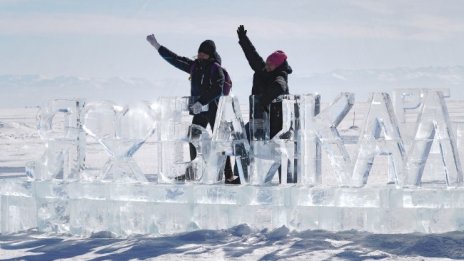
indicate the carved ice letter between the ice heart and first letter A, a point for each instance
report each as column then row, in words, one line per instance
column 179, row 140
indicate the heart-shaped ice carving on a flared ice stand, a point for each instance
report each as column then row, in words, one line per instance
column 121, row 131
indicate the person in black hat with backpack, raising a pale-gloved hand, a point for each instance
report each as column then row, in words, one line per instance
column 206, row 84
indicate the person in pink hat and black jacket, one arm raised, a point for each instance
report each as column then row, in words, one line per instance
column 270, row 80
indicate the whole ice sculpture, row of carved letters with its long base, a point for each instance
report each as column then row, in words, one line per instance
column 282, row 177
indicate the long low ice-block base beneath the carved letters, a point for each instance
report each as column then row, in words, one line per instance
column 86, row 208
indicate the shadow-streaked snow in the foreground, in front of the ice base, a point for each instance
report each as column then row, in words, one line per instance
column 237, row 243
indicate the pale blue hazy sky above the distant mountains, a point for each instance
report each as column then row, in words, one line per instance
column 106, row 38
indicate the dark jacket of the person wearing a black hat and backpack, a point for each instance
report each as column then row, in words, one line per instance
column 207, row 83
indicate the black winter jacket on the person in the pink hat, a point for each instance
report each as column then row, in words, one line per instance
column 269, row 85
